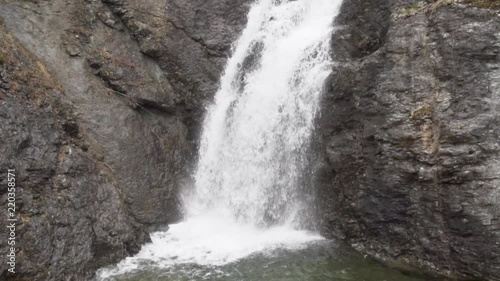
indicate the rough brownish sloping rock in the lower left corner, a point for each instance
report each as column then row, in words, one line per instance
column 69, row 211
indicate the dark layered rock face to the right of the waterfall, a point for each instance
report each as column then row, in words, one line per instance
column 409, row 130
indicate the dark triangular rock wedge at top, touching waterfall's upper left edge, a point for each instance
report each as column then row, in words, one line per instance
column 191, row 41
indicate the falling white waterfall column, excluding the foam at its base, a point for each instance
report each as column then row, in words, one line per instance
column 255, row 138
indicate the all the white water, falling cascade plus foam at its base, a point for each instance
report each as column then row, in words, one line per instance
column 247, row 194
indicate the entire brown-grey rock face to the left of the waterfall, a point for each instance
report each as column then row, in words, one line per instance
column 100, row 104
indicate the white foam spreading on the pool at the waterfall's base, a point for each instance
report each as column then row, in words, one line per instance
column 210, row 240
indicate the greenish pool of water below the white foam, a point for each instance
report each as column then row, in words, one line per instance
column 318, row 261
